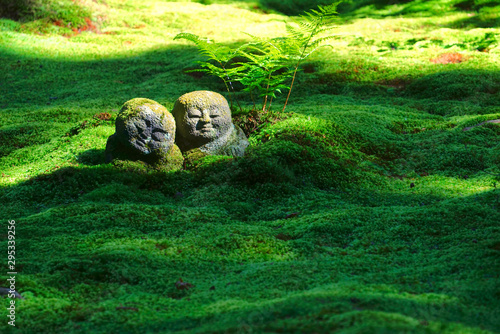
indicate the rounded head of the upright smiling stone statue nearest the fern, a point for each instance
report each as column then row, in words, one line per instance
column 201, row 117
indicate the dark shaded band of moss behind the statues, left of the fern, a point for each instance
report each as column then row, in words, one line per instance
column 82, row 83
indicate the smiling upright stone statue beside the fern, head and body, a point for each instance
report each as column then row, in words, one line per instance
column 204, row 122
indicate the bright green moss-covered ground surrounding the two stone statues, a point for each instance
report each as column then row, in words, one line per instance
column 374, row 207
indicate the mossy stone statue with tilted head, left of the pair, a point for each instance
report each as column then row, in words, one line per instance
column 145, row 131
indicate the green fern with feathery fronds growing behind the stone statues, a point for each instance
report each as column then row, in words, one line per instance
column 270, row 62
